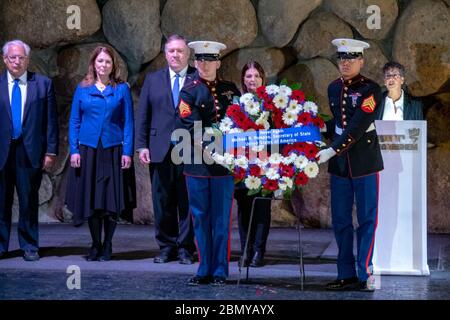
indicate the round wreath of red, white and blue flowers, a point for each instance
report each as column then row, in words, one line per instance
column 273, row 107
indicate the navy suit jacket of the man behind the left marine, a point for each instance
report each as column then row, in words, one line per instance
column 157, row 114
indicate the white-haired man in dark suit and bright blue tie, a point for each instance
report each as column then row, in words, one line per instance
column 28, row 144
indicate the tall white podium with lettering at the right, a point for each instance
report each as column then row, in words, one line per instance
column 401, row 235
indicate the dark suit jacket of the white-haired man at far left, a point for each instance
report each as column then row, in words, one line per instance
column 40, row 119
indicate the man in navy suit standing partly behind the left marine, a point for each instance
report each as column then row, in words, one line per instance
column 155, row 121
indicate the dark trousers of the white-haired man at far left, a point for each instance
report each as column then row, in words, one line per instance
column 18, row 173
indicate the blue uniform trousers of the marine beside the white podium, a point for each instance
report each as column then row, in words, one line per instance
column 344, row 192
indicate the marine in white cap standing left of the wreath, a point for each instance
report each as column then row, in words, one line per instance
column 210, row 186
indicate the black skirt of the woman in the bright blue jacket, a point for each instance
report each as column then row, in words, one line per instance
column 101, row 184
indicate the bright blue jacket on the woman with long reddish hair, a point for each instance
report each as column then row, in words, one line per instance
column 102, row 116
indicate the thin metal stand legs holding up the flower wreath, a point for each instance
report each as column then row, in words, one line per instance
column 300, row 245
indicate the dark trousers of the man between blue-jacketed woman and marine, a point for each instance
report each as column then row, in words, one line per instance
column 173, row 224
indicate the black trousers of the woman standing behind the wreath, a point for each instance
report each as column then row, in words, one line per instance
column 260, row 224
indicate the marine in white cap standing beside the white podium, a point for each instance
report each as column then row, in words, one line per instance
column 355, row 160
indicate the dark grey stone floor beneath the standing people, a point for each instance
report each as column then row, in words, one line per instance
column 132, row 274
